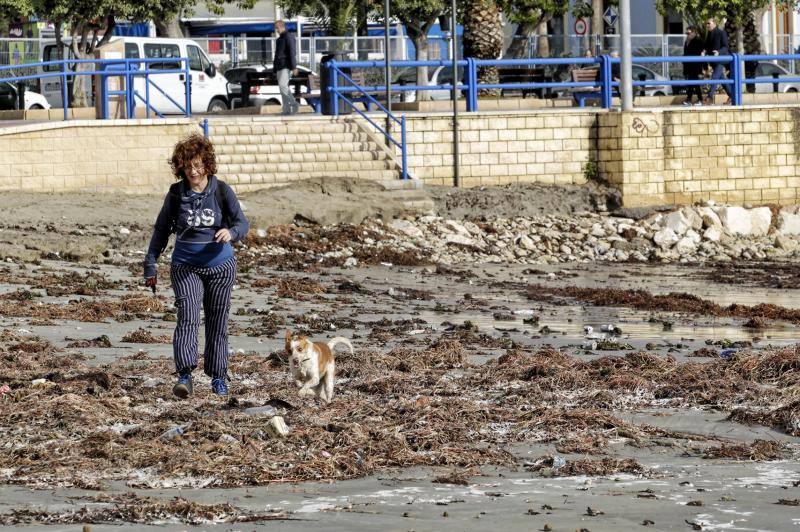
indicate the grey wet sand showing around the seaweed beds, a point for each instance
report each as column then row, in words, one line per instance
column 735, row 495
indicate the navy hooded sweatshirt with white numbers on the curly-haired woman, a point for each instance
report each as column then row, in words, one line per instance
column 198, row 219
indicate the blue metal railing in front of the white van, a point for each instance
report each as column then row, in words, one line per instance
column 130, row 69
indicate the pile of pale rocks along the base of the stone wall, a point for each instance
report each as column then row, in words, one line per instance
column 688, row 234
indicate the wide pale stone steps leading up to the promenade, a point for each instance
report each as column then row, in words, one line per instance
column 253, row 154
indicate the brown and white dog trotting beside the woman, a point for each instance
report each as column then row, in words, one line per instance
column 312, row 365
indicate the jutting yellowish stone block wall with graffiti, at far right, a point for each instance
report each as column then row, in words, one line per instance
column 672, row 156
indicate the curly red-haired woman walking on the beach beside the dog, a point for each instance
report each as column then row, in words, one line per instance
column 205, row 215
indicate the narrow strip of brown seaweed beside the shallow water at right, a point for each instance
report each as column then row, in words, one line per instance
column 673, row 302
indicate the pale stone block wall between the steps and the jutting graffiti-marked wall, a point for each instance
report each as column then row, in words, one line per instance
column 550, row 146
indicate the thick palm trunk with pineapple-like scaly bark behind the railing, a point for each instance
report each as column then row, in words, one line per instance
column 483, row 37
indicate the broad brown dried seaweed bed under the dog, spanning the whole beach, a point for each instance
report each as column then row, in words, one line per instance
column 85, row 425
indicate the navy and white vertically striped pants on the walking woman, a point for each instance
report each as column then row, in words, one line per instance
column 212, row 287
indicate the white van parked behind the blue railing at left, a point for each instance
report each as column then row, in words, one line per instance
column 209, row 87
